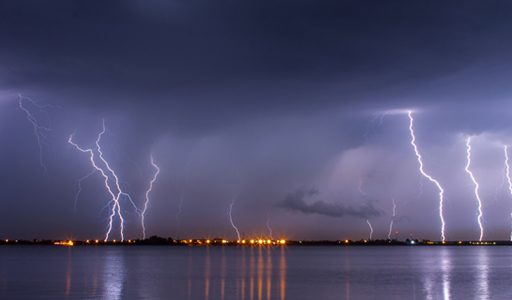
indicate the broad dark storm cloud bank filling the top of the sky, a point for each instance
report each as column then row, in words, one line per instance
column 256, row 56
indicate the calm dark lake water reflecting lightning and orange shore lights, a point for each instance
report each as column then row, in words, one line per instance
column 39, row 272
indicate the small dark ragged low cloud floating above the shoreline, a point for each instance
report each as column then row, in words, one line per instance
column 296, row 201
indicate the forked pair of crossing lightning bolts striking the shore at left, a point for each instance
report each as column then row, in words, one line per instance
column 114, row 195
